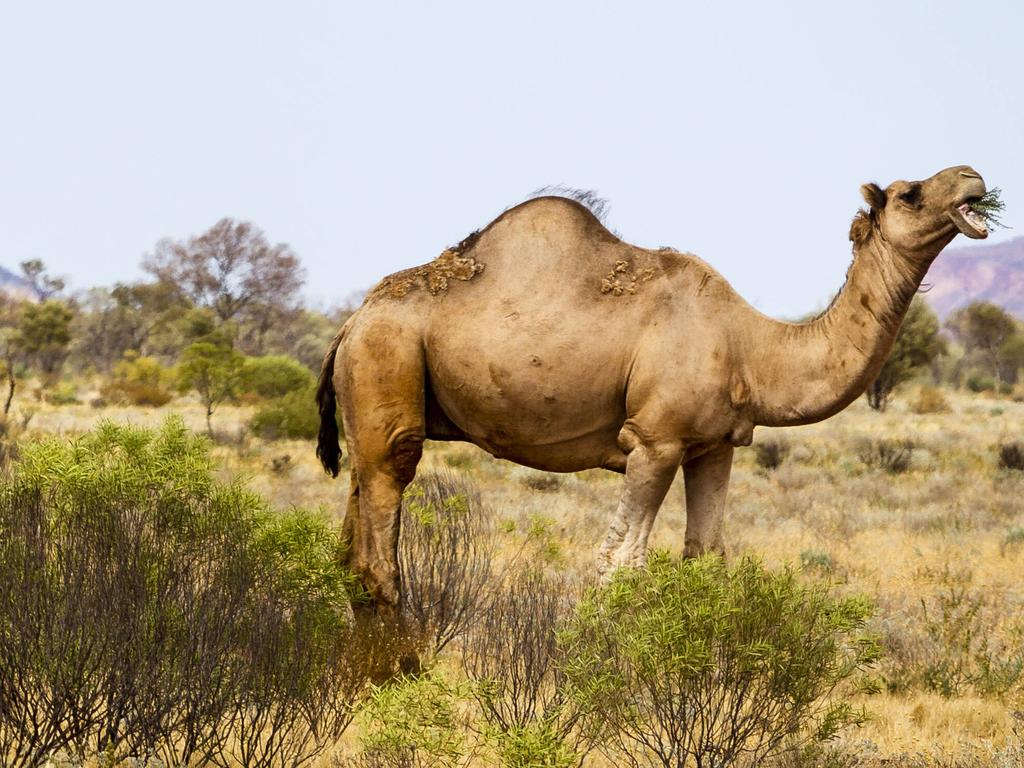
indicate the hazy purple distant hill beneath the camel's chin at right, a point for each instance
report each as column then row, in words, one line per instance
column 990, row 273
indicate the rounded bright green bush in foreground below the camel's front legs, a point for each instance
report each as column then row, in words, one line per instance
column 657, row 656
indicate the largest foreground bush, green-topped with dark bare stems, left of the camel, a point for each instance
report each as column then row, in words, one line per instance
column 149, row 611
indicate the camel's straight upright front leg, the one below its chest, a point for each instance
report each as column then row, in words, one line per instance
column 707, row 485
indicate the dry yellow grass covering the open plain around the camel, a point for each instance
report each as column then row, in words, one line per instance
column 951, row 519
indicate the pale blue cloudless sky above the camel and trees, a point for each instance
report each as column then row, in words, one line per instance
column 371, row 136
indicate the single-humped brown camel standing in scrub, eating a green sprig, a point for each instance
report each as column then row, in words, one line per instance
column 548, row 342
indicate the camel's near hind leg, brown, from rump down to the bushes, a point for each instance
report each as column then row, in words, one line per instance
column 380, row 378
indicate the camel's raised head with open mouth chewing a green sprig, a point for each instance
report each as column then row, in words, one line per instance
column 921, row 218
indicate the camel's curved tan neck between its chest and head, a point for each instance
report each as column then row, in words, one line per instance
column 803, row 373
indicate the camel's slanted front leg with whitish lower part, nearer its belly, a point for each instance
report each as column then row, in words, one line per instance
column 650, row 472
